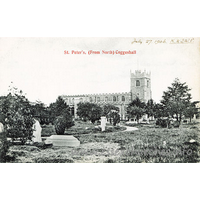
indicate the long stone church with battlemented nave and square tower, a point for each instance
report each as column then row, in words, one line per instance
column 140, row 86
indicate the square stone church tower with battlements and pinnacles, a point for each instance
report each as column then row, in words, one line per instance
column 141, row 85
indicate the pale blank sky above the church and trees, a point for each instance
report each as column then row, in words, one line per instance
column 39, row 67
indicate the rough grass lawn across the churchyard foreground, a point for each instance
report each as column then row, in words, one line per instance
column 146, row 145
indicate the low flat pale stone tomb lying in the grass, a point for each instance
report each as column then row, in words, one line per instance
column 63, row 141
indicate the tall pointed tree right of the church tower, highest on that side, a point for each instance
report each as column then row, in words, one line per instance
column 176, row 99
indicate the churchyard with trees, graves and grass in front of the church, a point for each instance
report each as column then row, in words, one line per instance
column 33, row 133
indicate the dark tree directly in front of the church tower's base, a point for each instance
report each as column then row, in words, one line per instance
column 136, row 109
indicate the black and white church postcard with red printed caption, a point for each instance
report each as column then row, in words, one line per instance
column 100, row 100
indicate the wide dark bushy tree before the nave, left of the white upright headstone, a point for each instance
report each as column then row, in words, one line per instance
column 89, row 111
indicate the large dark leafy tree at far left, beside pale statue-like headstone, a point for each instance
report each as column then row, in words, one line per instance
column 16, row 116
